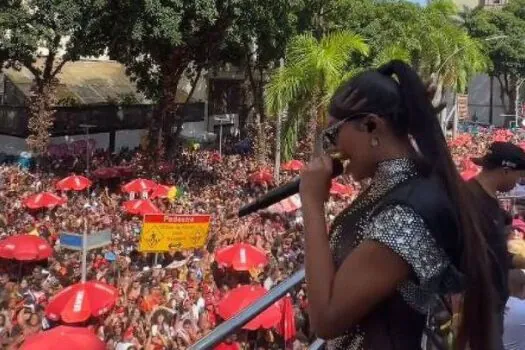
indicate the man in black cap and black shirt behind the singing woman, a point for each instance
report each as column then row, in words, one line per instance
column 502, row 167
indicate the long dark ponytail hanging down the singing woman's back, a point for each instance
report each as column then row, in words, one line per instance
column 477, row 323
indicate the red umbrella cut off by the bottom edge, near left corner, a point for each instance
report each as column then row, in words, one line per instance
column 64, row 338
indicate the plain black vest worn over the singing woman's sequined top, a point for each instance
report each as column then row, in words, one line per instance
column 394, row 325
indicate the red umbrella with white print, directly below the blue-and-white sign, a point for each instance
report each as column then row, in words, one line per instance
column 79, row 302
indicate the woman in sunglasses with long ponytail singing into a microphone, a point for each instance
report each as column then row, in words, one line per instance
column 410, row 236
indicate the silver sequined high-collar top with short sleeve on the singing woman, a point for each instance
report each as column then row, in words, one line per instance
column 401, row 229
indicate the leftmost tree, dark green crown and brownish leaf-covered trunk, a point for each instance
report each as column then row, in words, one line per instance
column 42, row 36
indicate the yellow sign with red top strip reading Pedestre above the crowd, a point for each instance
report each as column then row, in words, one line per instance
column 162, row 233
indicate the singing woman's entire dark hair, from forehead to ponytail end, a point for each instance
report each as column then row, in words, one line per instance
column 396, row 92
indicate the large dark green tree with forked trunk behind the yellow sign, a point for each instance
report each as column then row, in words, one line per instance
column 161, row 41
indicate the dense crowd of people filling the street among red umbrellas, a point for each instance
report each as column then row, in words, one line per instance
column 161, row 306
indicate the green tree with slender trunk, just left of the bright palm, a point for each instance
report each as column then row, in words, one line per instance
column 258, row 40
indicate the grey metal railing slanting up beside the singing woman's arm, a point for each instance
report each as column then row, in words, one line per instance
column 230, row 326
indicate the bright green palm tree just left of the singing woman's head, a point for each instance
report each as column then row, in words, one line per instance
column 313, row 70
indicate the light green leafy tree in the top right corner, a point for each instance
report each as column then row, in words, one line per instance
column 507, row 53
